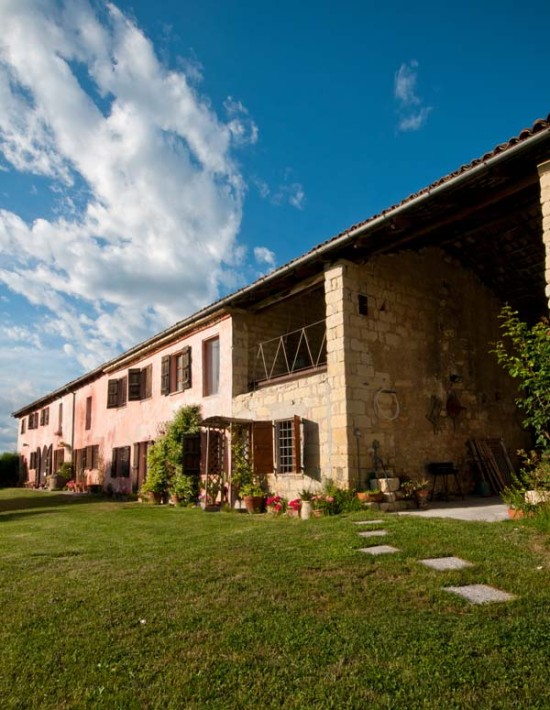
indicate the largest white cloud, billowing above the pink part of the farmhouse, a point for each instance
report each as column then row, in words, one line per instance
column 149, row 194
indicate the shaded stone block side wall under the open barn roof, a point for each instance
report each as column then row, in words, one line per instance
column 420, row 377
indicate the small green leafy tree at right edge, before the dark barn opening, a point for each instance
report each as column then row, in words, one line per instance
column 525, row 354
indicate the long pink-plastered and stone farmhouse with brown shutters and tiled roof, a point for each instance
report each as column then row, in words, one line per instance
column 381, row 334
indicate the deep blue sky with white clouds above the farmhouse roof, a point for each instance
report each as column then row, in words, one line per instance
column 155, row 156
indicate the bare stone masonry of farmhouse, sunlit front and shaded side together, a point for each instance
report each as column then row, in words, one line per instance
column 409, row 365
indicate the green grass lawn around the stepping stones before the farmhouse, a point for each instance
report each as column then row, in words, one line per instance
column 122, row 605
